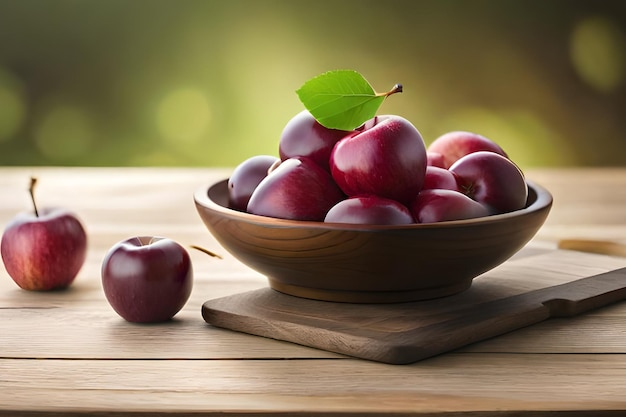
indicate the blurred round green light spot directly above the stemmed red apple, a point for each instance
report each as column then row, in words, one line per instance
column 64, row 133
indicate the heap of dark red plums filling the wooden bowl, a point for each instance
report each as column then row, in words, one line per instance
column 379, row 173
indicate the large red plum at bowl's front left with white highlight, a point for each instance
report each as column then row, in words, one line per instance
column 297, row 189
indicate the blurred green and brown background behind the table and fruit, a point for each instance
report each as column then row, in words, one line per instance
column 210, row 83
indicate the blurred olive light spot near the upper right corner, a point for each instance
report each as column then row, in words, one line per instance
column 597, row 53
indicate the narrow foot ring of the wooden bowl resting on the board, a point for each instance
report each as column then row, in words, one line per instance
column 369, row 297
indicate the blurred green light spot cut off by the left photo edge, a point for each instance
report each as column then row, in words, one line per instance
column 12, row 106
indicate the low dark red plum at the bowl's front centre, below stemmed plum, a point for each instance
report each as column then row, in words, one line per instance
column 369, row 210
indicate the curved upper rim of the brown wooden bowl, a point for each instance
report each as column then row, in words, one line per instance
column 543, row 200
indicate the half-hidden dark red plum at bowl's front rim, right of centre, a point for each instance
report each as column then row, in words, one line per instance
column 439, row 205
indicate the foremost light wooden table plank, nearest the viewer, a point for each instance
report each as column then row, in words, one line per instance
column 455, row 384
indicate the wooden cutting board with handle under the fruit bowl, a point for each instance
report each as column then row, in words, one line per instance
column 523, row 291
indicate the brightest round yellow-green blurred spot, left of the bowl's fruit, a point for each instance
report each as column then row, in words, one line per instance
column 183, row 115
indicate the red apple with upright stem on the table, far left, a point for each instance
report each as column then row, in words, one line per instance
column 44, row 249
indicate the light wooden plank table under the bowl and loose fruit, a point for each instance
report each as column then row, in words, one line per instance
column 68, row 353
